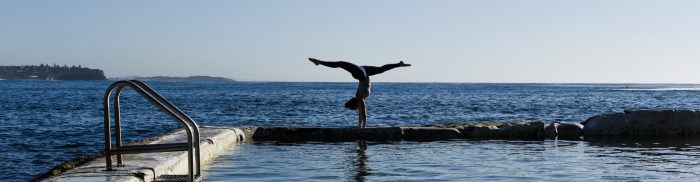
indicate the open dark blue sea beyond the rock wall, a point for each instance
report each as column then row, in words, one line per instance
column 44, row 123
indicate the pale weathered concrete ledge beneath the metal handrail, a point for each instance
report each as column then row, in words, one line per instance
column 146, row 167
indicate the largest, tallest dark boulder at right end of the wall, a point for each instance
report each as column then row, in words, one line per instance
column 644, row 123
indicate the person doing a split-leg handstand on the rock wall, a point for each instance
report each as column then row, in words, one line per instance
column 362, row 74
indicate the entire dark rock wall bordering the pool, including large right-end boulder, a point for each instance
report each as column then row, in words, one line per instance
column 631, row 123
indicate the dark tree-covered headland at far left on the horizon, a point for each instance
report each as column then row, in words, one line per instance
column 47, row 72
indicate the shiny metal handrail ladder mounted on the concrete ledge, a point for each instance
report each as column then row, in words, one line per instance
column 192, row 145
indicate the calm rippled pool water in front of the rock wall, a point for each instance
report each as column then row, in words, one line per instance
column 460, row 160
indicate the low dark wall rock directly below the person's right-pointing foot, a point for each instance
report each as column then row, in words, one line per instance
column 429, row 133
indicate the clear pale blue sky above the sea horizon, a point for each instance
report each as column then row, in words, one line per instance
column 633, row 41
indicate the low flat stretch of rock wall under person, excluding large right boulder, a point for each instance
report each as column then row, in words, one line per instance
column 522, row 130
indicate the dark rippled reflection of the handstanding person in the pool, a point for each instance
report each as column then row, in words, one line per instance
column 359, row 170
